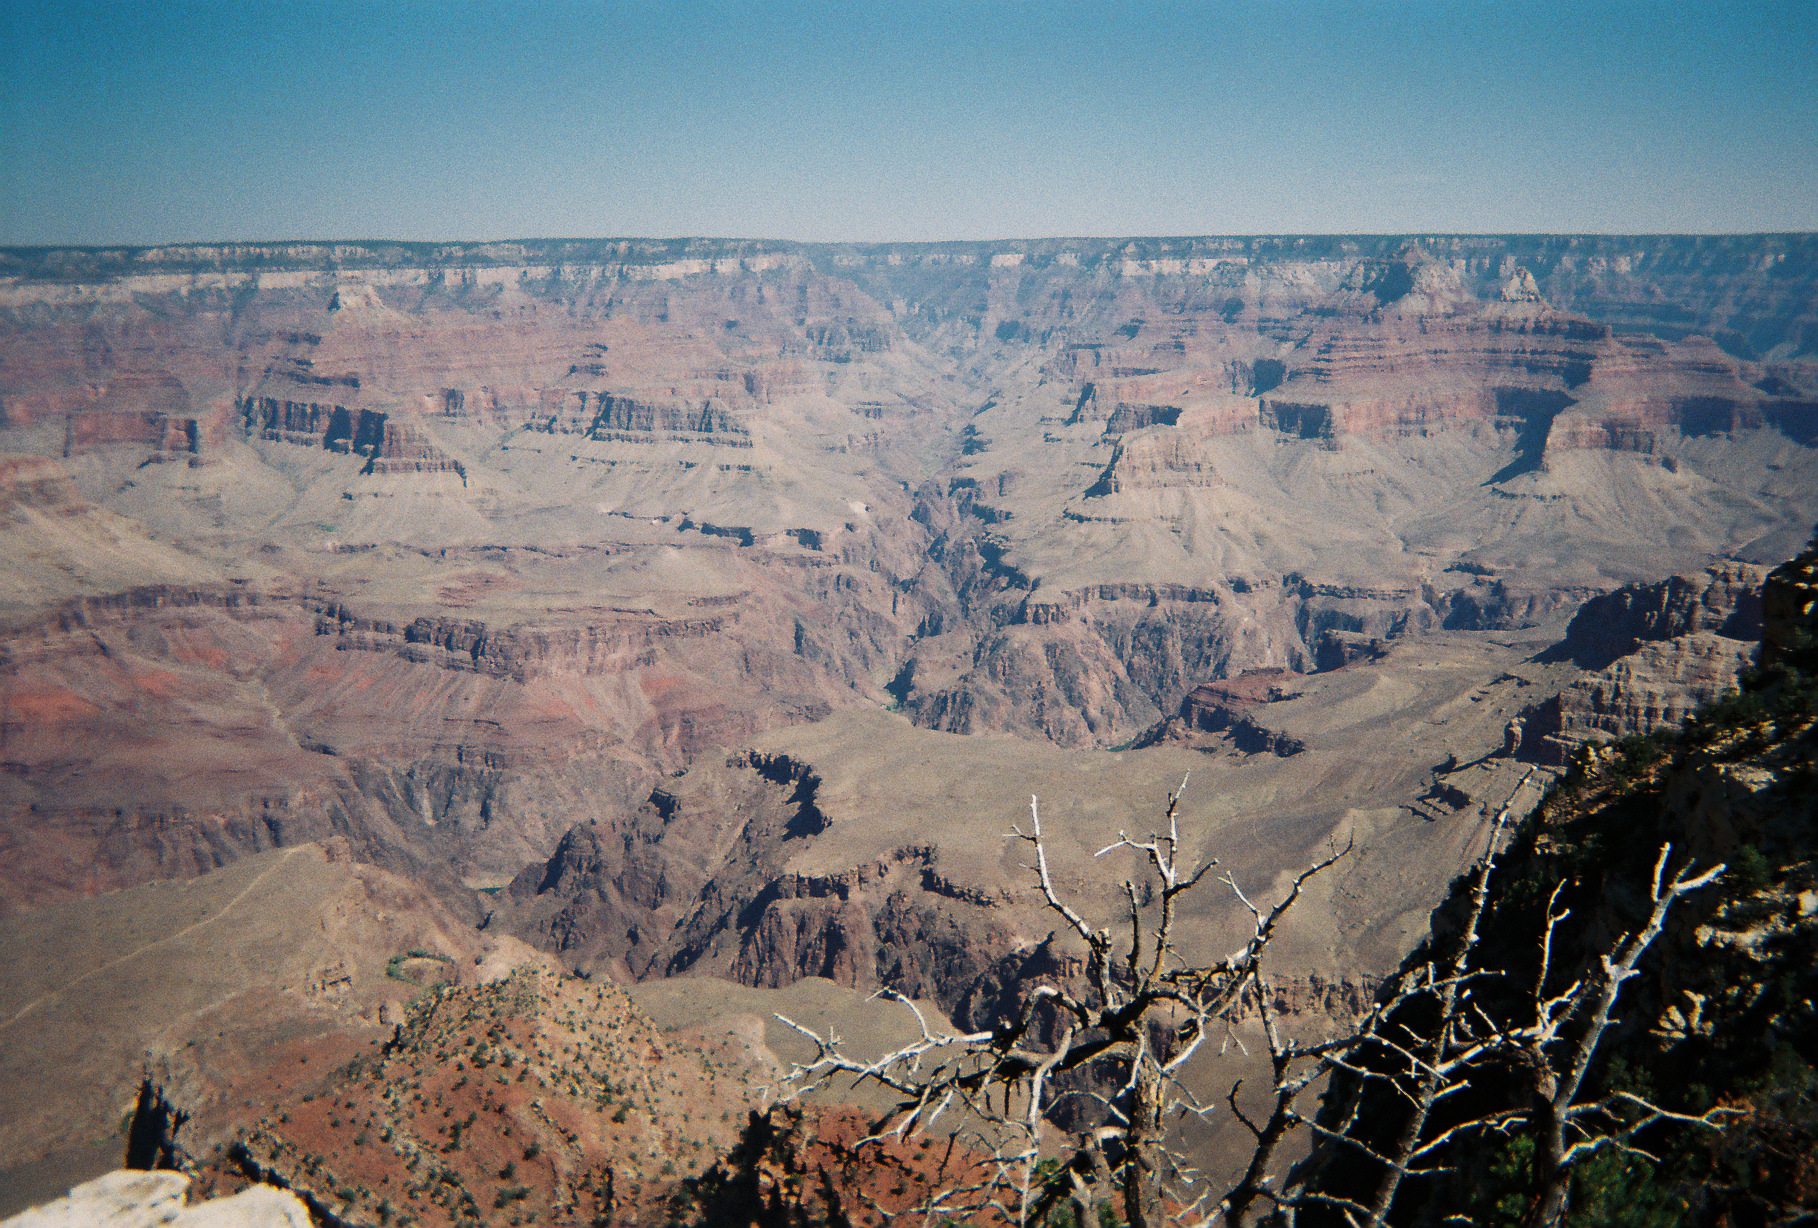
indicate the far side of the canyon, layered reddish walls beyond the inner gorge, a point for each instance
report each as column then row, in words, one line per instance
column 448, row 549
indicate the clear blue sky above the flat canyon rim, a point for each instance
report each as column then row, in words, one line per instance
column 166, row 123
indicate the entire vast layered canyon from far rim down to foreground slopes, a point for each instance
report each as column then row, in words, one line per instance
column 714, row 610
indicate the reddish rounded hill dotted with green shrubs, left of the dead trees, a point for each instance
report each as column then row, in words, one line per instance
column 535, row 1100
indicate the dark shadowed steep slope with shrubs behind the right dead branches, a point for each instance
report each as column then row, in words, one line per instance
column 1708, row 1065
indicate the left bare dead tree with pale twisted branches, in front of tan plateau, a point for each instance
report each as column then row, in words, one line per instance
column 1144, row 1011
